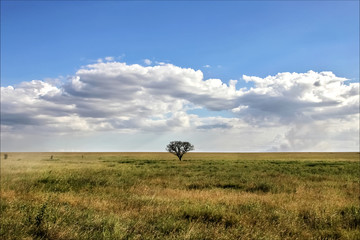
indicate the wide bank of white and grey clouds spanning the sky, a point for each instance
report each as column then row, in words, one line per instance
column 289, row 111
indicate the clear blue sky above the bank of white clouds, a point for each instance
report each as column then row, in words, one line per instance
column 259, row 38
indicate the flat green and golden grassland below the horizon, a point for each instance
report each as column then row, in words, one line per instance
column 155, row 196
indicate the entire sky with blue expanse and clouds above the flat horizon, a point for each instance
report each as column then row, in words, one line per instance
column 233, row 76
